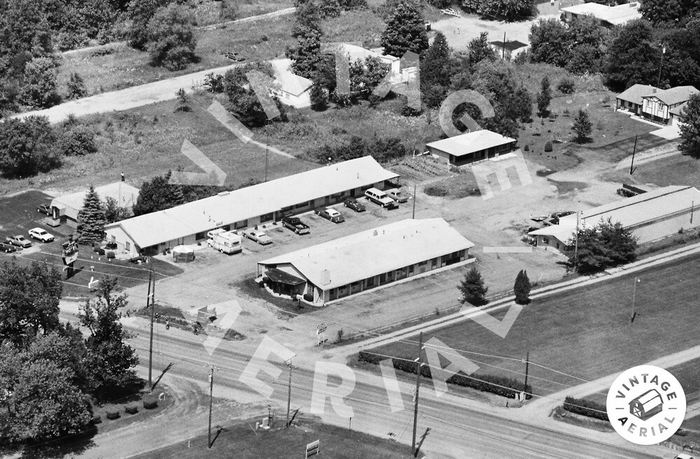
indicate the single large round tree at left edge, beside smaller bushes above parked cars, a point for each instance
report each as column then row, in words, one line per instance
column 27, row 147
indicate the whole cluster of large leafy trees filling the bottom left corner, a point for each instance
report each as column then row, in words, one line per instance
column 50, row 374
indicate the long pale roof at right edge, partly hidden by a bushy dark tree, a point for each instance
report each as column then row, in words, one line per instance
column 630, row 212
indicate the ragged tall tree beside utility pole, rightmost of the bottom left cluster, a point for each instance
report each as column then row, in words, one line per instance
column 109, row 359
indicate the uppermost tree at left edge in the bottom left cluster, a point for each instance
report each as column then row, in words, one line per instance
column 29, row 297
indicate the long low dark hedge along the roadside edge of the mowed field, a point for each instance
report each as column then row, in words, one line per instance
column 505, row 387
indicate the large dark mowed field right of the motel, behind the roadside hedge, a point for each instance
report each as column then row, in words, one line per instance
column 585, row 333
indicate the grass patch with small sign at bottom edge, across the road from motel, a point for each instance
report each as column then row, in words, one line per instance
column 241, row 441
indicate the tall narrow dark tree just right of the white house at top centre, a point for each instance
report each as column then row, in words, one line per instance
column 435, row 71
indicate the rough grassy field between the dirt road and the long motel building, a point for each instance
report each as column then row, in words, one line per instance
column 146, row 141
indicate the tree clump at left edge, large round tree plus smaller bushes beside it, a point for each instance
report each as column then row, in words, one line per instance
column 32, row 145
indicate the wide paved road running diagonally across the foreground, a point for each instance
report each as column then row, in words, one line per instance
column 455, row 431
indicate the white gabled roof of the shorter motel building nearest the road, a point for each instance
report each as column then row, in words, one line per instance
column 369, row 253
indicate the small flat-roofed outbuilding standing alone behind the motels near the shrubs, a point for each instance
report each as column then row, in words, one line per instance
column 471, row 147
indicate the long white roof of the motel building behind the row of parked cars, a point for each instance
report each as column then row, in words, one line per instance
column 230, row 207
